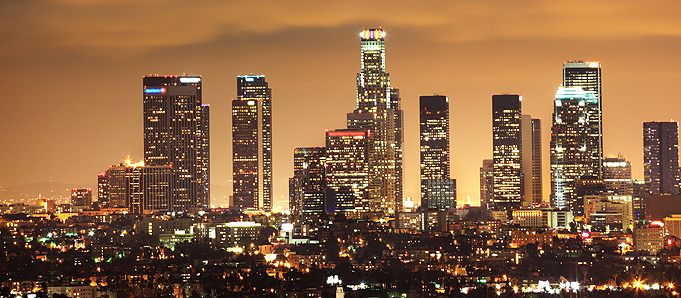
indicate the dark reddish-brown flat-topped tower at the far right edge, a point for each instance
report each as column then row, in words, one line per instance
column 661, row 157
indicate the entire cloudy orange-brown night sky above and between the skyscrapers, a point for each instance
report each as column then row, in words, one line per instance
column 71, row 74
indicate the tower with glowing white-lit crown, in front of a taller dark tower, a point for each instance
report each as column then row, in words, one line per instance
column 570, row 139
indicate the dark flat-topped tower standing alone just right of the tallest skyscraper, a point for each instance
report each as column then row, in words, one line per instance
column 437, row 189
